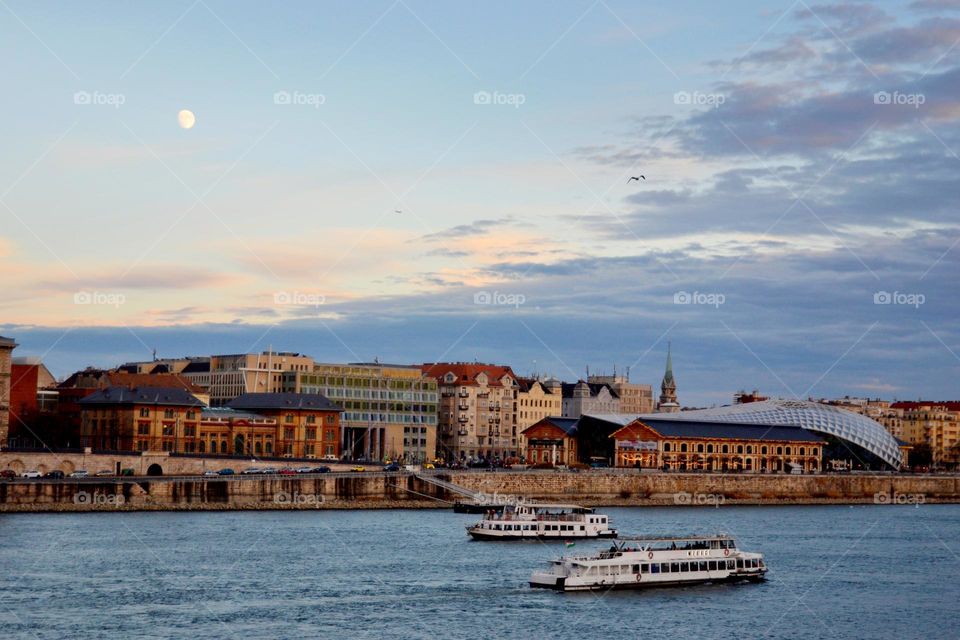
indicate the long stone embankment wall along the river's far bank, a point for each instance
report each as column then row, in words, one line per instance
column 380, row 490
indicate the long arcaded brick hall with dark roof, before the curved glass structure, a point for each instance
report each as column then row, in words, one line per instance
column 686, row 445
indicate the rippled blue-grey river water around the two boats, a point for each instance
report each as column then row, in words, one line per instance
column 836, row 572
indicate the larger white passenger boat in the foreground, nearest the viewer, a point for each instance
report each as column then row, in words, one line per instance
column 636, row 563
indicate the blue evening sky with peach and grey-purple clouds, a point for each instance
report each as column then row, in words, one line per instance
column 423, row 181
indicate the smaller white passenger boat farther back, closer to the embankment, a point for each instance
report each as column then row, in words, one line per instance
column 542, row 521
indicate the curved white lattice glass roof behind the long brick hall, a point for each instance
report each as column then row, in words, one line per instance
column 822, row 418
